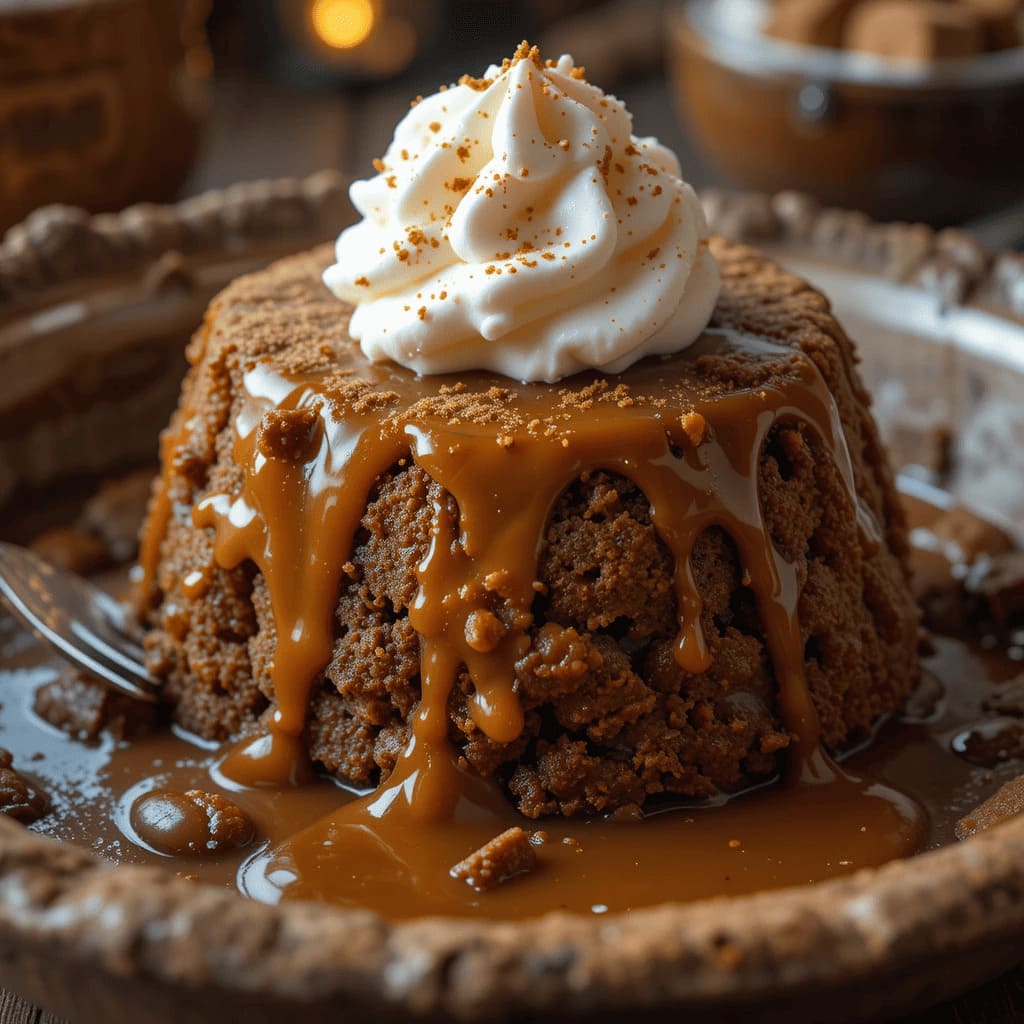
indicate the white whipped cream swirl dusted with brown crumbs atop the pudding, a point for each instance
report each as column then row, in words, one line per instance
column 518, row 226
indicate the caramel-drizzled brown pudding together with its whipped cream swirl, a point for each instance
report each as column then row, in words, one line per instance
column 590, row 554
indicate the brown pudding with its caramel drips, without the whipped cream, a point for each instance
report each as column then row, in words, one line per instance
column 598, row 648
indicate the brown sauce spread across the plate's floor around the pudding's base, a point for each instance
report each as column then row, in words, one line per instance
column 323, row 842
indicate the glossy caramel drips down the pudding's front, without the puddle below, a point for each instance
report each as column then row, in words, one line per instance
column 297, row 519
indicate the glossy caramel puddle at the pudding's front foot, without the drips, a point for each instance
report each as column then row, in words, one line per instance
column 771, row 837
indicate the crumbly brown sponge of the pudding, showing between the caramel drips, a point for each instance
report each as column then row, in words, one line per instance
column 611, row 717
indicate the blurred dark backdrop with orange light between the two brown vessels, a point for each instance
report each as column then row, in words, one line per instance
column 333, row 77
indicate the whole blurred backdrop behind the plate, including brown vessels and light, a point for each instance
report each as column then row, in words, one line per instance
column 909, row 110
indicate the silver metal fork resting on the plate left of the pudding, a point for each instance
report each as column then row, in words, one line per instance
column 84, row 624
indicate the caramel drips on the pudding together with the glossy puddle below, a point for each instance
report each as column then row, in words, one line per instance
column 296, row 518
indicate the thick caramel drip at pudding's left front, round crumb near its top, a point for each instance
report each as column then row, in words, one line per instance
column 296, row 521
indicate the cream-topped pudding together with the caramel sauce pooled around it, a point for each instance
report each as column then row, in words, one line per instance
column 449, row 623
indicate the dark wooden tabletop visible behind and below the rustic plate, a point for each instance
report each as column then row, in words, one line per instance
column 260, row 131
